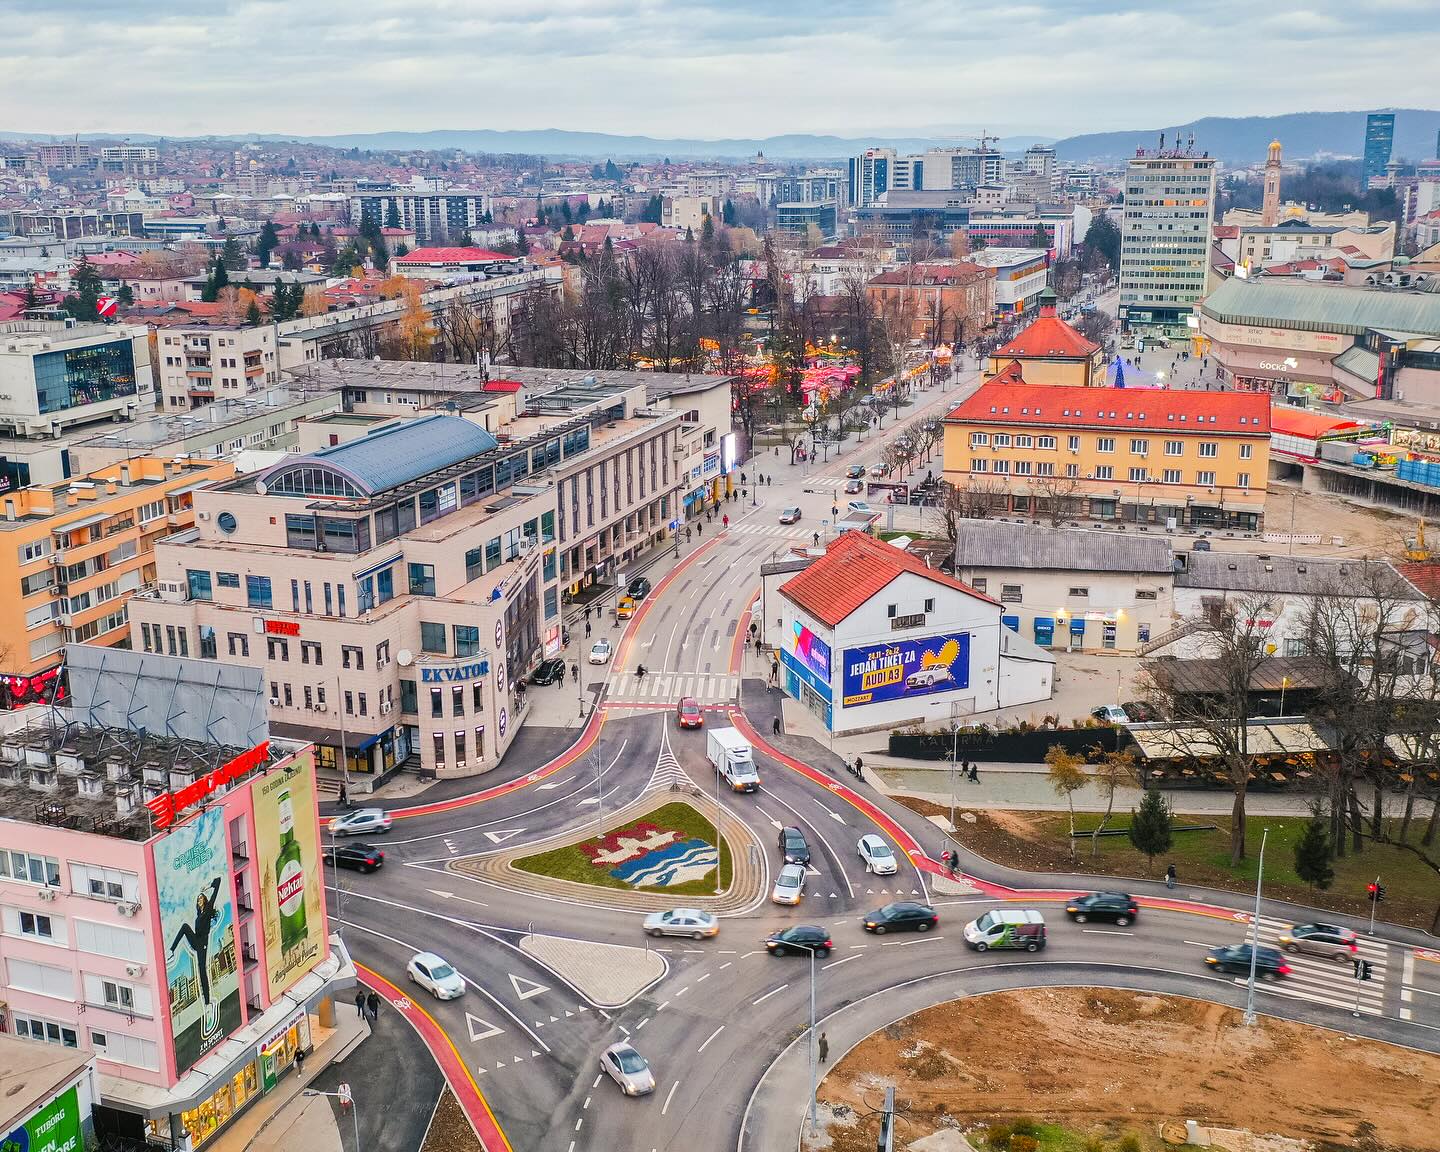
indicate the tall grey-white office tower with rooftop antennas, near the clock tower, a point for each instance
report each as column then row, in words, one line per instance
column 1170, row 207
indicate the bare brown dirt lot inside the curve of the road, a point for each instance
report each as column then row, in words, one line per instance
column 1105, row 1065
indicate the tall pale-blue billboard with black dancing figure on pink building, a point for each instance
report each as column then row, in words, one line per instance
column 198, row 924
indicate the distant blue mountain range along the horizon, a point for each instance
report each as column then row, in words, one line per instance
column 1236, row 140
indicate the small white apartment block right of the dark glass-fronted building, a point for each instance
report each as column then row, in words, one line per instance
column 201, row 362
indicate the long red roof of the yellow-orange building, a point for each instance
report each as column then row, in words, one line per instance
column 1120, row 408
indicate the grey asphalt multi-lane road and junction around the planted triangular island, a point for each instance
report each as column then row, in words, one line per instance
column 724, row 1009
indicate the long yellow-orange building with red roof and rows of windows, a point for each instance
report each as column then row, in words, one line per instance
column 1143, row 456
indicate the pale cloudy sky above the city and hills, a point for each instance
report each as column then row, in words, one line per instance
column 702, row 68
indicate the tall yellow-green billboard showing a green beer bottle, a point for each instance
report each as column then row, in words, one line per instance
column 292, row 888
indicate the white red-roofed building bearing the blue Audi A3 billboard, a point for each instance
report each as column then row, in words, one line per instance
column 870, row 639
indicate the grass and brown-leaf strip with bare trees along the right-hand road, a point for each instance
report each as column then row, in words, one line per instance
column 1040, row 842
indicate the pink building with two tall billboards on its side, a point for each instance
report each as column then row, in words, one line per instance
column 162, row 906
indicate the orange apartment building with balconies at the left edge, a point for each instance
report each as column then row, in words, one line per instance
column 73, row 555
